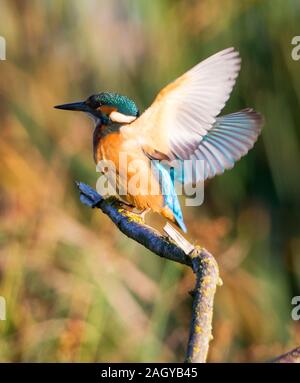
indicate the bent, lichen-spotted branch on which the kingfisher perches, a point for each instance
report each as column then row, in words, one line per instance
column 202, row 263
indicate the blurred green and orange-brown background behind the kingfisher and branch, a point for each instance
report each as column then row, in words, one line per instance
column 77, row 289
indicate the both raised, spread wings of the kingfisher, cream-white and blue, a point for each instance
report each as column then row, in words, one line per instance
column 182, row 121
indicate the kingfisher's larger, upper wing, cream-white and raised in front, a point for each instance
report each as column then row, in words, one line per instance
column 186, row 109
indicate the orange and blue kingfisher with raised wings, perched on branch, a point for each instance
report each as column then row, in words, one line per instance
column 181, row 124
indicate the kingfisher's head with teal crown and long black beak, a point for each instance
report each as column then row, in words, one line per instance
column 105, row 107
